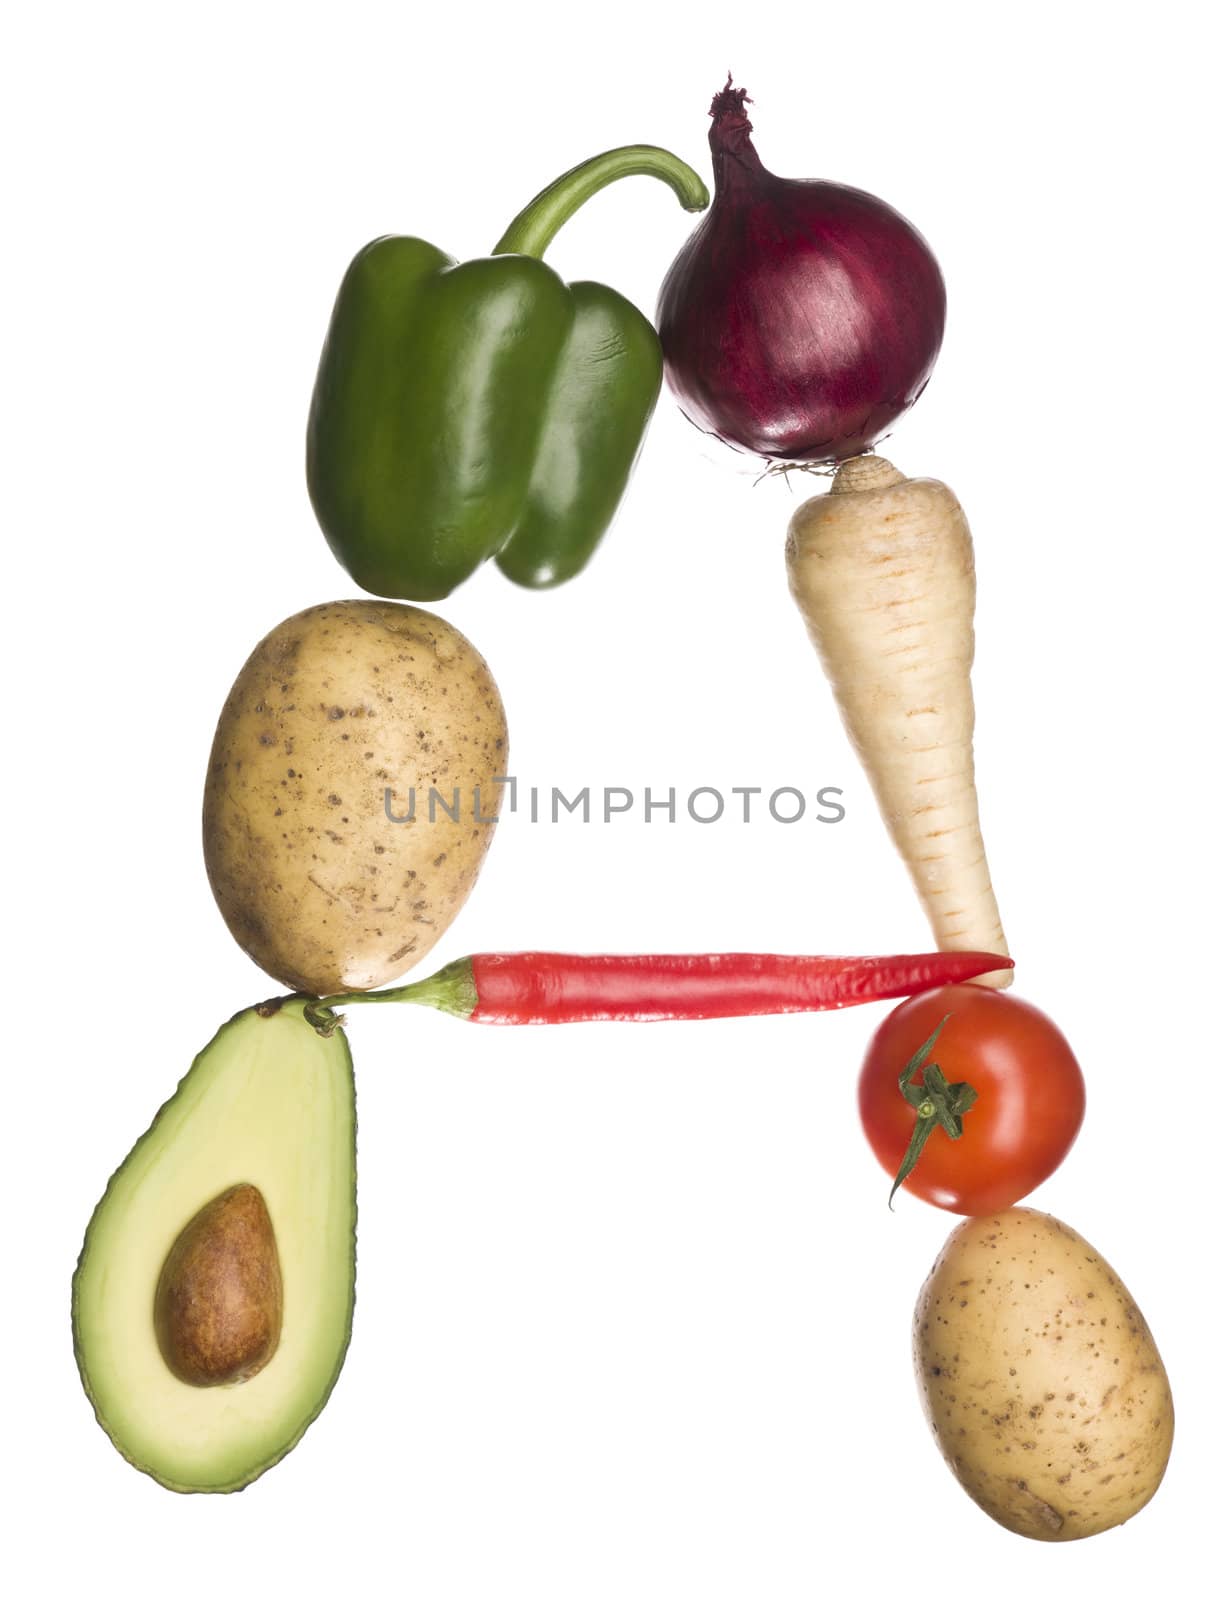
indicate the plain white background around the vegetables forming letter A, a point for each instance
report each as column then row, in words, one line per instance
column 633, row 1314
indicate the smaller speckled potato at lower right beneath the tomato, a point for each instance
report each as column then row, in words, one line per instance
column 1039, row 1378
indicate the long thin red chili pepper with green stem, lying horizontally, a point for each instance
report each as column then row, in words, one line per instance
column 543, row 986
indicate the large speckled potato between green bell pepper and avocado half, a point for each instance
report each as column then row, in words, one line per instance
column 338, row 705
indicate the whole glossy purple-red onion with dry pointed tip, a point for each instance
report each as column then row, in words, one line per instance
column 799, row 319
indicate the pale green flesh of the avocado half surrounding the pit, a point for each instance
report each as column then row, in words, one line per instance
column 268, row 1103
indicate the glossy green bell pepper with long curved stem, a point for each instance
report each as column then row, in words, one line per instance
column 486, row 409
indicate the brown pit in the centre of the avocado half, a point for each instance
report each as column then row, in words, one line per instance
column 220, row 1297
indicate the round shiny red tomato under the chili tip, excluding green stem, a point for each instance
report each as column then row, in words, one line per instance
column 1020, row 1129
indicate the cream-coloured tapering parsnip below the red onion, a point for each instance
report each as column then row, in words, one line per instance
column 884, row 574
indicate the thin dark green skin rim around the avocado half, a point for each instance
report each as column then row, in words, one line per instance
column 266, row 1010
